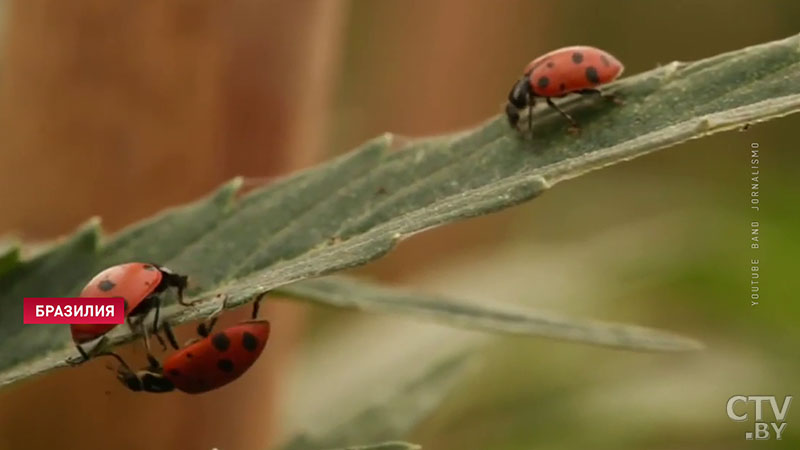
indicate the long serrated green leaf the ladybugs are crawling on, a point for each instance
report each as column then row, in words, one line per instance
column 356, row 208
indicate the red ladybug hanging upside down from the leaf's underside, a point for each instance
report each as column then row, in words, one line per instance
column 203, row 365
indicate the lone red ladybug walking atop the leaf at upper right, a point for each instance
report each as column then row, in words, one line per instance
column 578, row 69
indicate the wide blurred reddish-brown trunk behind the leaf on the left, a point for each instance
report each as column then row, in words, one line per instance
column 119, row 109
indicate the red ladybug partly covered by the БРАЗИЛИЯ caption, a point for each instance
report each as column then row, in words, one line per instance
column 139, row 284
